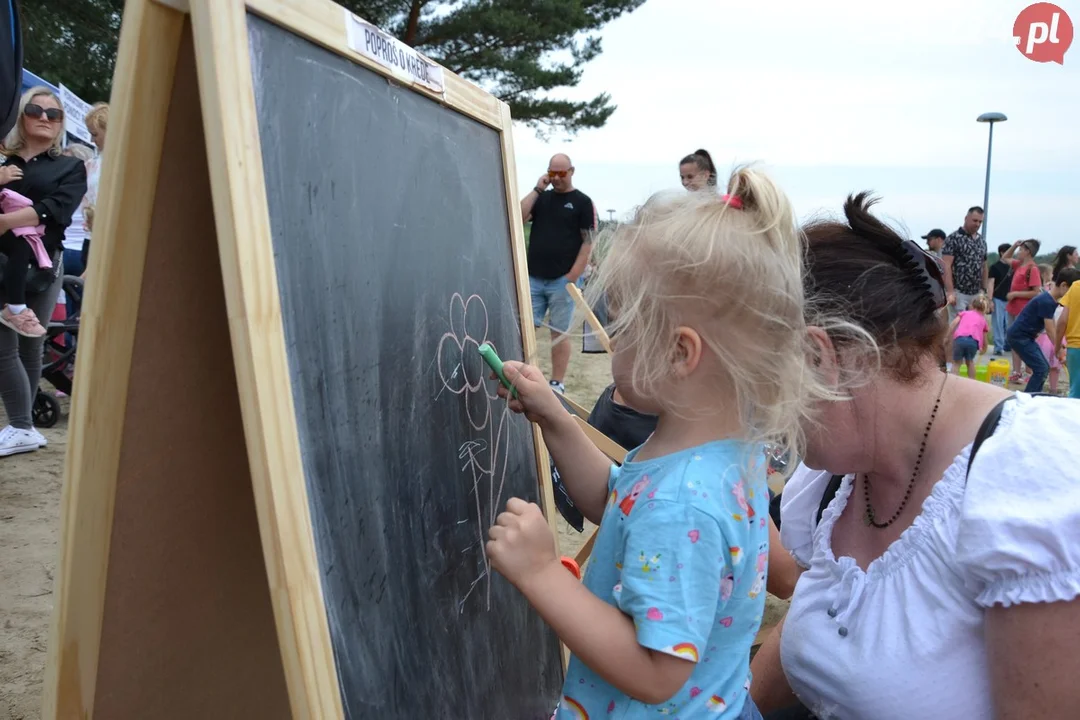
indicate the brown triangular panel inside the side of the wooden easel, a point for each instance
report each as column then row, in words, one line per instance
column 188, row 631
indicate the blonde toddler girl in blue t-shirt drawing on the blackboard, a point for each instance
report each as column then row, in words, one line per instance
column 707, row 314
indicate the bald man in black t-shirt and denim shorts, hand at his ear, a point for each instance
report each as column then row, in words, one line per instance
column 563, row 223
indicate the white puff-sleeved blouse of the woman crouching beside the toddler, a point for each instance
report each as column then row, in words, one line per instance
column 904, row 640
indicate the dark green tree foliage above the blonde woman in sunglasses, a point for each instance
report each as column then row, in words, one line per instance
column 73, row 43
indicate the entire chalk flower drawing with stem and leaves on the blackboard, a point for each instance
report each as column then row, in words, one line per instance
column 484, row 454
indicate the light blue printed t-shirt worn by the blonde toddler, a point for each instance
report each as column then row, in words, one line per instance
column 683, row 550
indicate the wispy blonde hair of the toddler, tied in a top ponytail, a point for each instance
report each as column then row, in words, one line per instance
column 733, row 267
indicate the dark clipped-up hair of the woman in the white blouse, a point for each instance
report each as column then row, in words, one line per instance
column 863, row 273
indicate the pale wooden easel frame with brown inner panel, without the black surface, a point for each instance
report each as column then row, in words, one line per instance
column 184, row 78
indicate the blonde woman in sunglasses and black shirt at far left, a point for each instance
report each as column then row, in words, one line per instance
column 55, row 185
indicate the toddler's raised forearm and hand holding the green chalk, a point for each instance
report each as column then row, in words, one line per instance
column 585, row 470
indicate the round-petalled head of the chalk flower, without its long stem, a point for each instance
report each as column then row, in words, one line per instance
column 462, row 369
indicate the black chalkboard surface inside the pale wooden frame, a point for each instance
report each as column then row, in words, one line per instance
column 393, row 249
